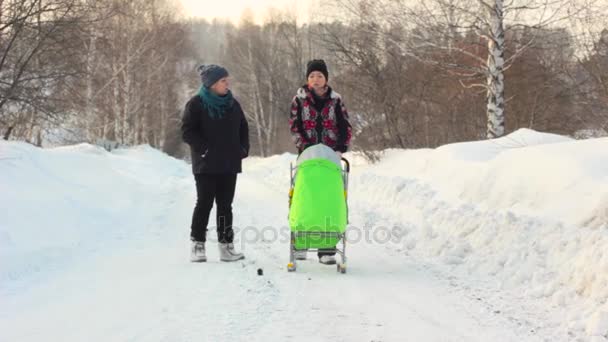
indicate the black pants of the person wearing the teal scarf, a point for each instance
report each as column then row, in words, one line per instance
column 219, row 188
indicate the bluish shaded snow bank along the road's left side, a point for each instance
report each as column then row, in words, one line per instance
column 68, row 202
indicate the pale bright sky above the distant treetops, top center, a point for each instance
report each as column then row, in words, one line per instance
column 233, row 9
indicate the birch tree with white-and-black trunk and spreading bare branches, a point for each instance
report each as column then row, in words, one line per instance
column 446, row 26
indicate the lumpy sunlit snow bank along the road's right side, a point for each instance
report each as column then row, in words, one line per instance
column 531, row 215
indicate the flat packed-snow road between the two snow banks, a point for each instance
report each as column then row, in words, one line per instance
column 137, row 285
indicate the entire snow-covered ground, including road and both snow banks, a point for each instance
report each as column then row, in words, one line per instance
column 502, row 240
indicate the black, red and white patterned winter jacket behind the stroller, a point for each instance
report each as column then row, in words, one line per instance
column 319, row 120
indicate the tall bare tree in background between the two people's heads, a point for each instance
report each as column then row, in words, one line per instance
column 260, row 55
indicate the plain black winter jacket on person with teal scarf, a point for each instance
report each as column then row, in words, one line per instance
column 217, row 146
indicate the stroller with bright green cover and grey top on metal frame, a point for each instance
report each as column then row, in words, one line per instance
column 318, row 208
